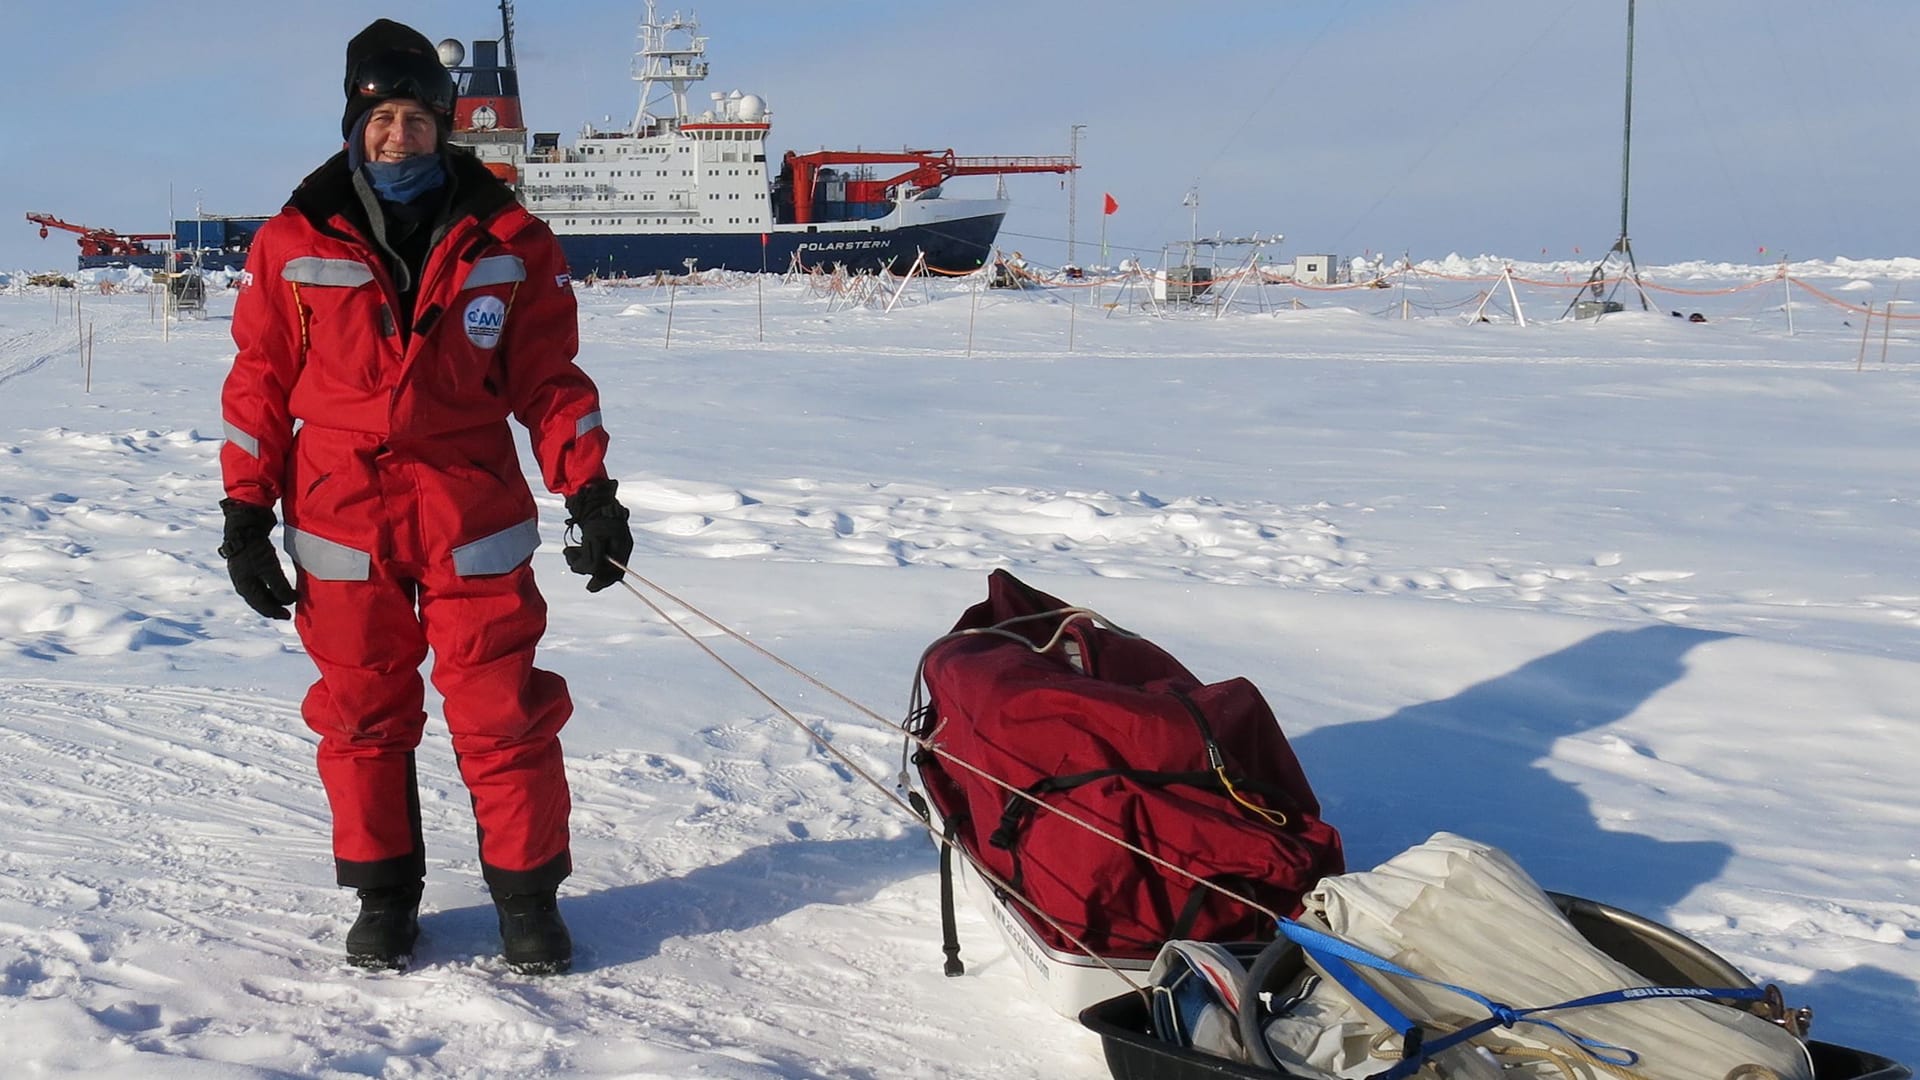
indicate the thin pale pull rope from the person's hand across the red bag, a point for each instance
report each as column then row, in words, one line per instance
column 999, row 629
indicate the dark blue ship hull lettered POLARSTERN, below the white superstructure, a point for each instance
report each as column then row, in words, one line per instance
column 961, row 245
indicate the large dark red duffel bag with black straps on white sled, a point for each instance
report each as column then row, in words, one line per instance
column 1111, row 729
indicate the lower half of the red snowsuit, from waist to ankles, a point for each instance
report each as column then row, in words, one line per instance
column 387, row 577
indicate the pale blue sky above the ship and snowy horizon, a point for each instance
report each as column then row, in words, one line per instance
column 1387, row 126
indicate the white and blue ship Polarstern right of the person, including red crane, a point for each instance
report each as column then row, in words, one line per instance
column 679, row 191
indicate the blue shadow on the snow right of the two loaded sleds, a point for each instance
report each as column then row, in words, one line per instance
column 1477, row 764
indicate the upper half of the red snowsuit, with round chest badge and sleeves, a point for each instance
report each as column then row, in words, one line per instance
column 320, row 345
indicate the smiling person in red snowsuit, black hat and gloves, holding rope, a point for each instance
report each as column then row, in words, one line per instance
column 389, row 324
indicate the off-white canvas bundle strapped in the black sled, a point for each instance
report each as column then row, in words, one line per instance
column 1464, row 914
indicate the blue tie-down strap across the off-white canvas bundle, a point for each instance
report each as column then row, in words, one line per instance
column 1339, row 960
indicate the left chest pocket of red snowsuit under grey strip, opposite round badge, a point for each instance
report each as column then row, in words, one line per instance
column 343, row 318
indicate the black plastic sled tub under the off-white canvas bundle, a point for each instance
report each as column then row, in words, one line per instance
column 1660, row 954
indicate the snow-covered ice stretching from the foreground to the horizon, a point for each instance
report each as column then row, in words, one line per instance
column 1635, row 601
